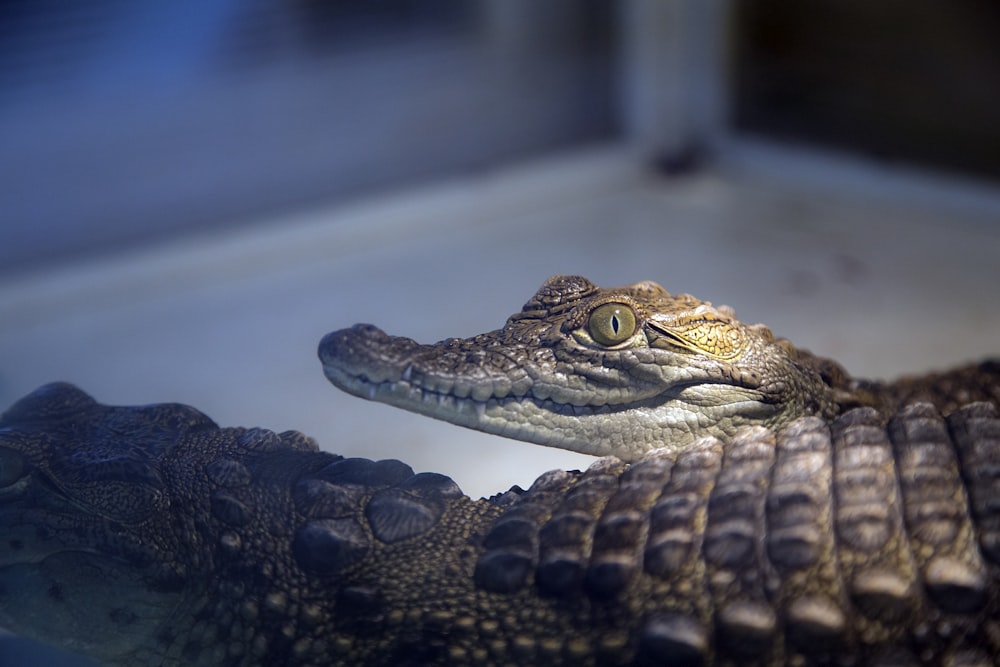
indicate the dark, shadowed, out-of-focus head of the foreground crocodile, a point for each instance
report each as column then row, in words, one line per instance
column 88, row 531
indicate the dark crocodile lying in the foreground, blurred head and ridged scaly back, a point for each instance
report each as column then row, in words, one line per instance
column 149, row 535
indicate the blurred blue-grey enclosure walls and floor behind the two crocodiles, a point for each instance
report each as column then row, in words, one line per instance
column 192, row 194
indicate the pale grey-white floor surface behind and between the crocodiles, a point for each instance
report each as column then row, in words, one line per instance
column 230, row 323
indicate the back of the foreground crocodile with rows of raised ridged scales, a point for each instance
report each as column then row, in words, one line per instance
column 865, row 537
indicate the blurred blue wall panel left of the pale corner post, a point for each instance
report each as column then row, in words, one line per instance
column 123, row 123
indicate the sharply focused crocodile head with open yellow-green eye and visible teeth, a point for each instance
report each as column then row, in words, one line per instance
column 600, row 371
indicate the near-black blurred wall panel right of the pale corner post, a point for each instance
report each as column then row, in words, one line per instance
column 897, row 80
